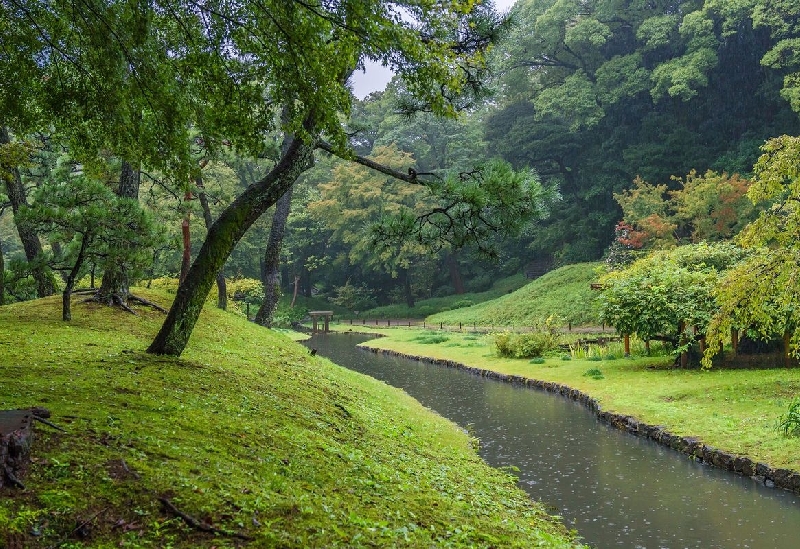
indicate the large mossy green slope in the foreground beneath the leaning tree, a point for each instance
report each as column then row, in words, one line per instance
column 259, row 442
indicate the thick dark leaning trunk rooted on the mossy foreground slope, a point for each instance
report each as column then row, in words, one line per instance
column 226, row 231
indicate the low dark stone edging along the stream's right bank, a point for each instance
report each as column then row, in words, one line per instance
column 691, row 446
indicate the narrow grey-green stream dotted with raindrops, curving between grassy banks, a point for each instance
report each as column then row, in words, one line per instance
column 614, row 488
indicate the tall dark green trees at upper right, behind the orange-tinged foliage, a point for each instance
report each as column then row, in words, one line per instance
column 594, row 94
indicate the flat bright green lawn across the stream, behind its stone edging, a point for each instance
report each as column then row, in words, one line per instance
column 733, row 410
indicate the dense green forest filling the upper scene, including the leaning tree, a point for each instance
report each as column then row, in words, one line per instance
column 132, row 132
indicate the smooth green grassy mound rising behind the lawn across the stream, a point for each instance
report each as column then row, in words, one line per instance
column 564, row 292
